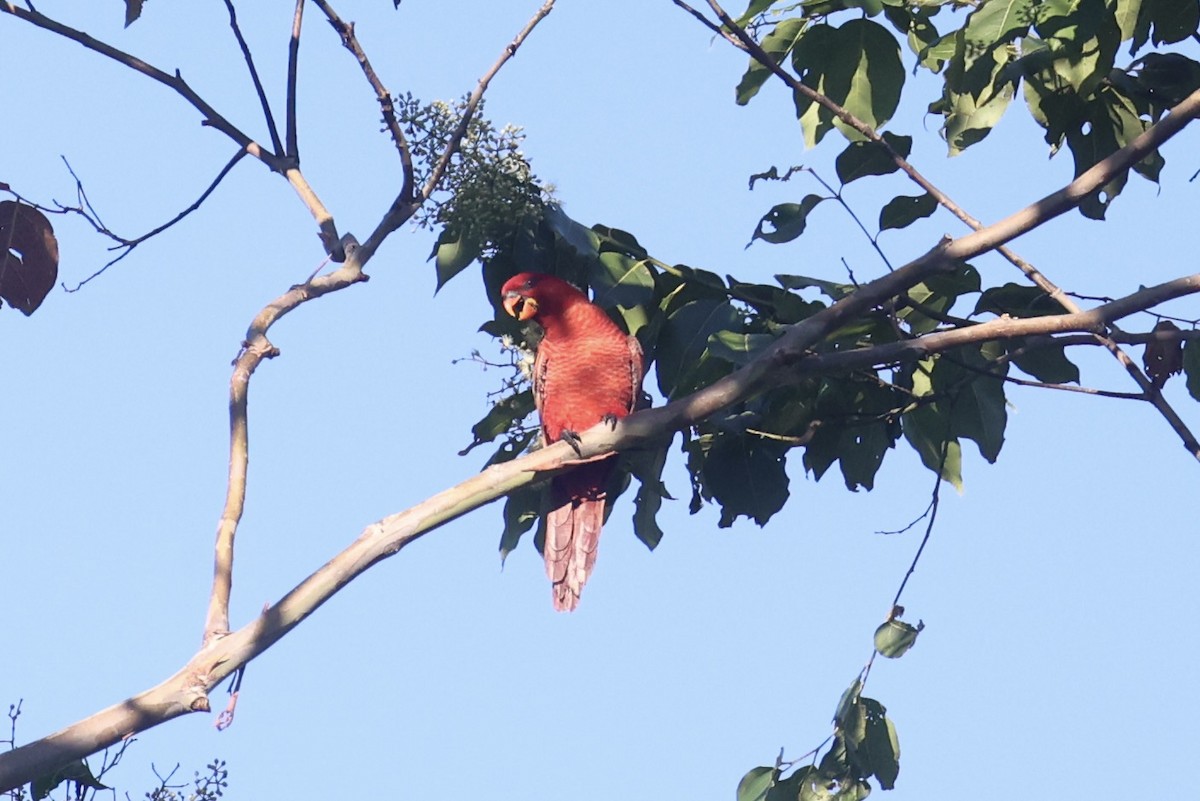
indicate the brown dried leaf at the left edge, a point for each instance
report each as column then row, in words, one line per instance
column 29, row 257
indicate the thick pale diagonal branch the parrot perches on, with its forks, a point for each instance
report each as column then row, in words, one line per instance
column 188, row 690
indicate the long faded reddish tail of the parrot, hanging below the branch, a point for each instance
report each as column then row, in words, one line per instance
column 573, row 529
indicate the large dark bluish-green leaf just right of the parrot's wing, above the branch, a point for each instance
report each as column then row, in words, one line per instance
column 685, row 341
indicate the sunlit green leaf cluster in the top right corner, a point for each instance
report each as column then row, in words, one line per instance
column 1060, row 56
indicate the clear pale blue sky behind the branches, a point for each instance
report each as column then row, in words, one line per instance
column 1058, row 591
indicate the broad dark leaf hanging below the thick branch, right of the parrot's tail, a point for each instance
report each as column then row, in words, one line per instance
column 747, row 477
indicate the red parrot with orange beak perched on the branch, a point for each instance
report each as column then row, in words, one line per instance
column 587, row 371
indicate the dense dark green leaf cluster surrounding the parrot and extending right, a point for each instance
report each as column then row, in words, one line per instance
column 697, row 327
